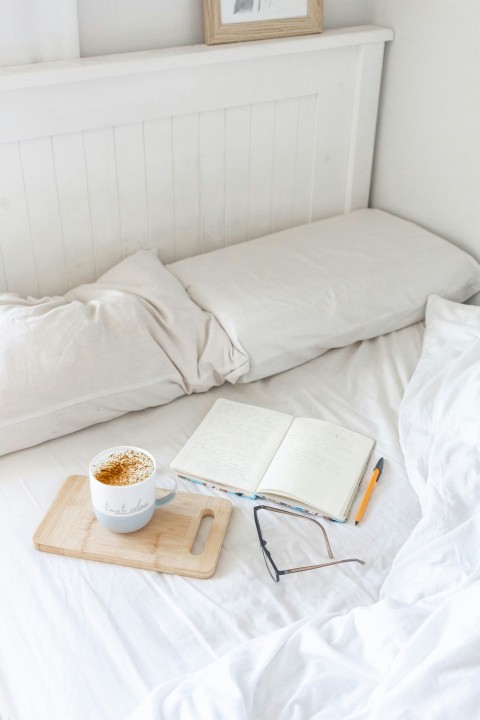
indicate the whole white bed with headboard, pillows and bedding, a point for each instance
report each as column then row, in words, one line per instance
column 187, row 151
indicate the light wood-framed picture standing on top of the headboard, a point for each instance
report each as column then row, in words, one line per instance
column 237, row 20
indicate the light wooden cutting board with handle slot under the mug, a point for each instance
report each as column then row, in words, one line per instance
column 165, row 544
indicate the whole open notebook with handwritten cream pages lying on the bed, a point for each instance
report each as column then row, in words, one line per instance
column 306, row 463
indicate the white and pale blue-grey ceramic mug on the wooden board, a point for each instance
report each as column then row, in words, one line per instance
column 126, row 508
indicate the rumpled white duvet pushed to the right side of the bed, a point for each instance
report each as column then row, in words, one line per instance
column 415, row 653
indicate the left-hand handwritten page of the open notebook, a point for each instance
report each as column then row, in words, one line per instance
column 233, row 445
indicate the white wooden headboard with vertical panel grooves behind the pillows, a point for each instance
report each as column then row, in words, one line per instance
column 186, row 150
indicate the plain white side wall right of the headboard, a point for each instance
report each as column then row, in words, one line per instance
column 427, row 163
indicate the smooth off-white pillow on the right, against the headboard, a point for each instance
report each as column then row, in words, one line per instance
column 288, row 297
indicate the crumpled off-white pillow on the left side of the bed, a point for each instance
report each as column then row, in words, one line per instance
column 131, row 340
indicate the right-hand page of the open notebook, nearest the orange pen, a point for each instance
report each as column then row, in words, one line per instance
column 318, row 464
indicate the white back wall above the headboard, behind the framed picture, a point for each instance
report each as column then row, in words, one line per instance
column 110, row 26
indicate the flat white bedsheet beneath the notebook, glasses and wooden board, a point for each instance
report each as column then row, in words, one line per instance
column 83, row 640
